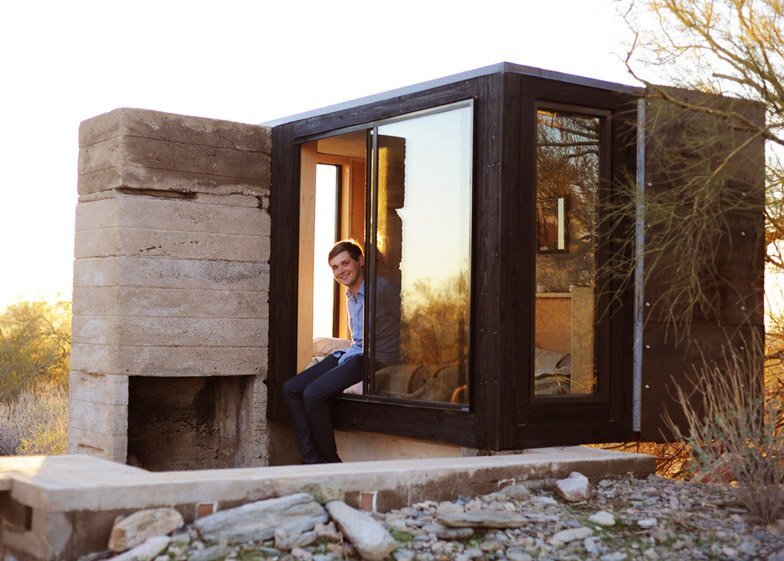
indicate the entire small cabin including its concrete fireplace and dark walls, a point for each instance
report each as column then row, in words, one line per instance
column 511, row 251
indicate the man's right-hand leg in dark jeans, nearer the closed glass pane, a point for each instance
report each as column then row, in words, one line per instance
column 317, row 403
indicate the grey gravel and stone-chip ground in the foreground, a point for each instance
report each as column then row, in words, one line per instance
column 624, row 519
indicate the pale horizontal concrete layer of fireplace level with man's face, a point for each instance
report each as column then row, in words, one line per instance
column 170, row 273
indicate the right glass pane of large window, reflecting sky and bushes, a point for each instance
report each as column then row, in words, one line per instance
column 422, row 237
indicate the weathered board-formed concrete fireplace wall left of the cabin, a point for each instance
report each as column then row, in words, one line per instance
column 171, row 270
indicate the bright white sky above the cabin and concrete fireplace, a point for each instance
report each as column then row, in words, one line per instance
column 64, row 62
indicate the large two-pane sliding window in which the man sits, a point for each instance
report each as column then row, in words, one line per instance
column 412, row 212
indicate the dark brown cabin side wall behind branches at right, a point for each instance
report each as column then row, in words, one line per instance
column 735, row 324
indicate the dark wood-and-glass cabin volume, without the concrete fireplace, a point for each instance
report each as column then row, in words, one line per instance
column 485, row 205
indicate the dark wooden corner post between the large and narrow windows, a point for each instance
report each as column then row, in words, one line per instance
column 497, row 286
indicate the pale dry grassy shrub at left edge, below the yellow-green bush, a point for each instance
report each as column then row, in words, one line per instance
column 36, row 422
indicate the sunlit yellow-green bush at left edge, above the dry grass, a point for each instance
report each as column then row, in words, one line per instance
column 35, row 345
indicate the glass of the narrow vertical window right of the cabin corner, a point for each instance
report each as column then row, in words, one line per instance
column 567, row 185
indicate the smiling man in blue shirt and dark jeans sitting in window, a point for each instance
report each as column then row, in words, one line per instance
column 308, row 394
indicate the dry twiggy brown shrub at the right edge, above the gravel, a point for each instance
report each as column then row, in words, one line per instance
column 735, row 428
